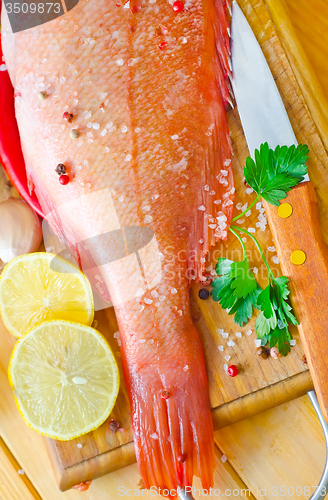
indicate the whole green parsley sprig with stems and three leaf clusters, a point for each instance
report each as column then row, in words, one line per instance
column 272, row 175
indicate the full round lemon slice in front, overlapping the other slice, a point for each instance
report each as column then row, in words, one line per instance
column 65, row 379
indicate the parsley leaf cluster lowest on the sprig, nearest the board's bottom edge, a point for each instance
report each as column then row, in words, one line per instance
column 272, row 322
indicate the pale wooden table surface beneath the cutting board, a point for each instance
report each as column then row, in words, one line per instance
column 283, row 446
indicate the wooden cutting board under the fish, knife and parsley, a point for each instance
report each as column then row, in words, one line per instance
column 261, row 383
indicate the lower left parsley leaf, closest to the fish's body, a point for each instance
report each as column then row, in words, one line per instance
column 236, row 289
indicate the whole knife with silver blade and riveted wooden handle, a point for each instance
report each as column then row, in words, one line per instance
column 295, row 227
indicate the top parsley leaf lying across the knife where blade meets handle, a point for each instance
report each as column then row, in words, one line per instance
column 274, row 173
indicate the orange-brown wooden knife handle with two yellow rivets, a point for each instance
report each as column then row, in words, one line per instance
column 308, row 281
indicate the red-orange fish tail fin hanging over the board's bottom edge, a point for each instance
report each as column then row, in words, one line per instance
column 173, row 437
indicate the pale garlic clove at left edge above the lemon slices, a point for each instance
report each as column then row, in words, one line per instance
column 20, row 229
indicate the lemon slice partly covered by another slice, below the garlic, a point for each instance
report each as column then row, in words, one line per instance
column 41, row 286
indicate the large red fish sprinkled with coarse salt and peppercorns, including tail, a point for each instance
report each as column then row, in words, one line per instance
column 171, row 100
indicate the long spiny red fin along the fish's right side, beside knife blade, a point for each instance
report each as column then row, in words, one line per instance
column 218, row 193
